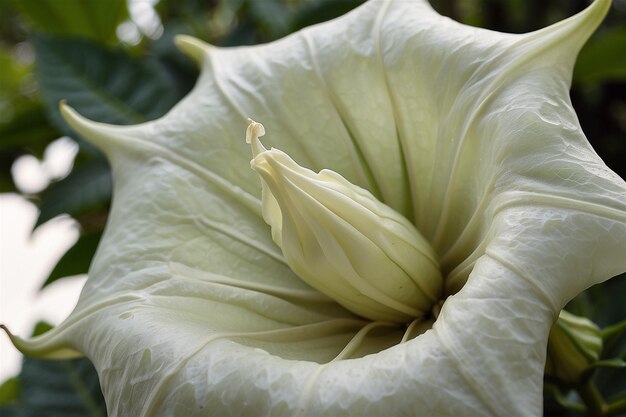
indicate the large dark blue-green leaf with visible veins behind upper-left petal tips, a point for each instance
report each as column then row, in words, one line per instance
column 106, row 85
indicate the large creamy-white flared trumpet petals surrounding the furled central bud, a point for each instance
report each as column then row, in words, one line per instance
column 192, row 309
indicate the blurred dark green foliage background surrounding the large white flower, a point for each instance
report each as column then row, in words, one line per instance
column 115, row 61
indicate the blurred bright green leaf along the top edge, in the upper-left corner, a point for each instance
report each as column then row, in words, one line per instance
column 95, row 20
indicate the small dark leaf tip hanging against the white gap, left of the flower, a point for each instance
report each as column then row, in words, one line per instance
column 77, row 259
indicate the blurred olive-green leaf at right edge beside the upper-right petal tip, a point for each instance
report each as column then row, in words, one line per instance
column 603, row 58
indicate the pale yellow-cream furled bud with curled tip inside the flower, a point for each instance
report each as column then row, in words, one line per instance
column 342, row 241
